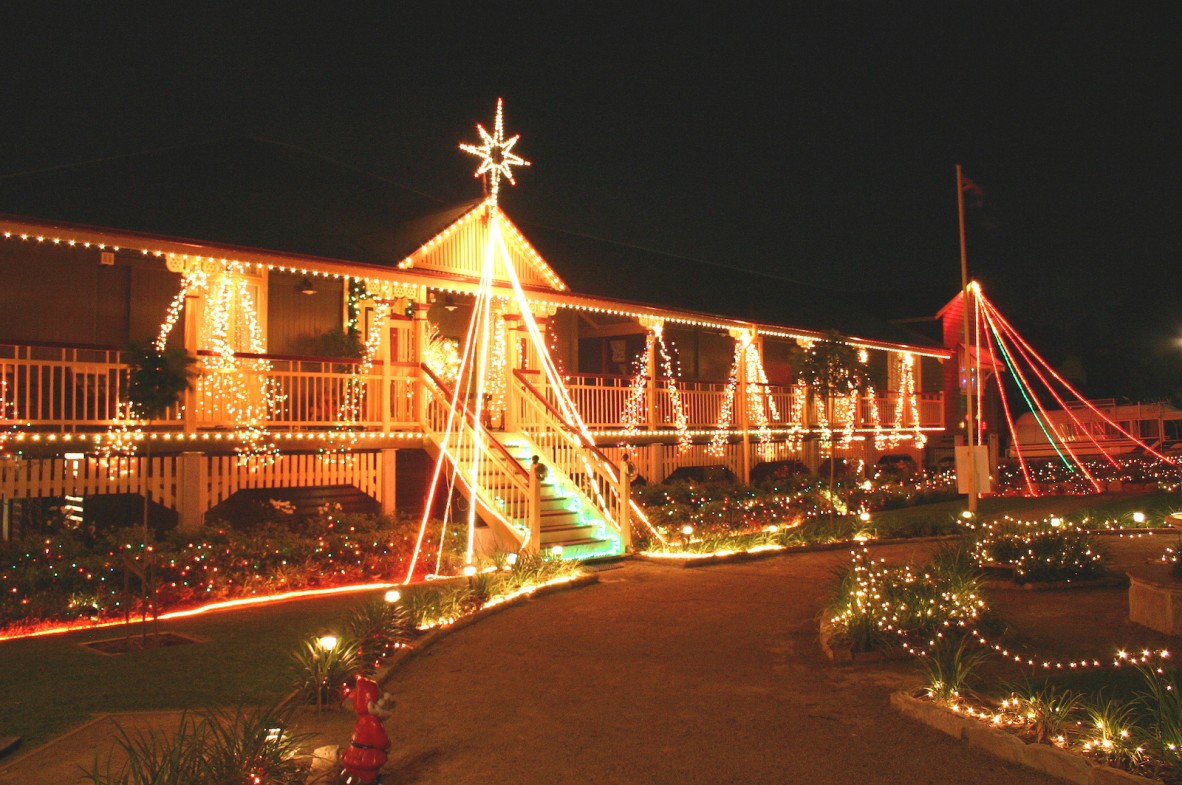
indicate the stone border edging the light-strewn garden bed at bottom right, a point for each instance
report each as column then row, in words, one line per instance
column 1002, row 744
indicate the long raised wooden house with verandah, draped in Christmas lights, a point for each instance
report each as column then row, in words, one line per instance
column 330, row 315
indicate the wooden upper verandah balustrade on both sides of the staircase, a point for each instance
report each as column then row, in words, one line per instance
column 57, row 388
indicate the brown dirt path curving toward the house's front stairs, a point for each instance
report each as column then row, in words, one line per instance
column 664, row 676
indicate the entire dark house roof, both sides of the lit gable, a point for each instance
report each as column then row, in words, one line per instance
column 258, row 194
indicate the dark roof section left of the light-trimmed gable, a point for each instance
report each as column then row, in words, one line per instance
column 241, row 192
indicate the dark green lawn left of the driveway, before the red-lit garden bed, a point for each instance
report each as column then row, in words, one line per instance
column 53, row 684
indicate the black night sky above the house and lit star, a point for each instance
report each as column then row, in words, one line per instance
column 813, row 142
